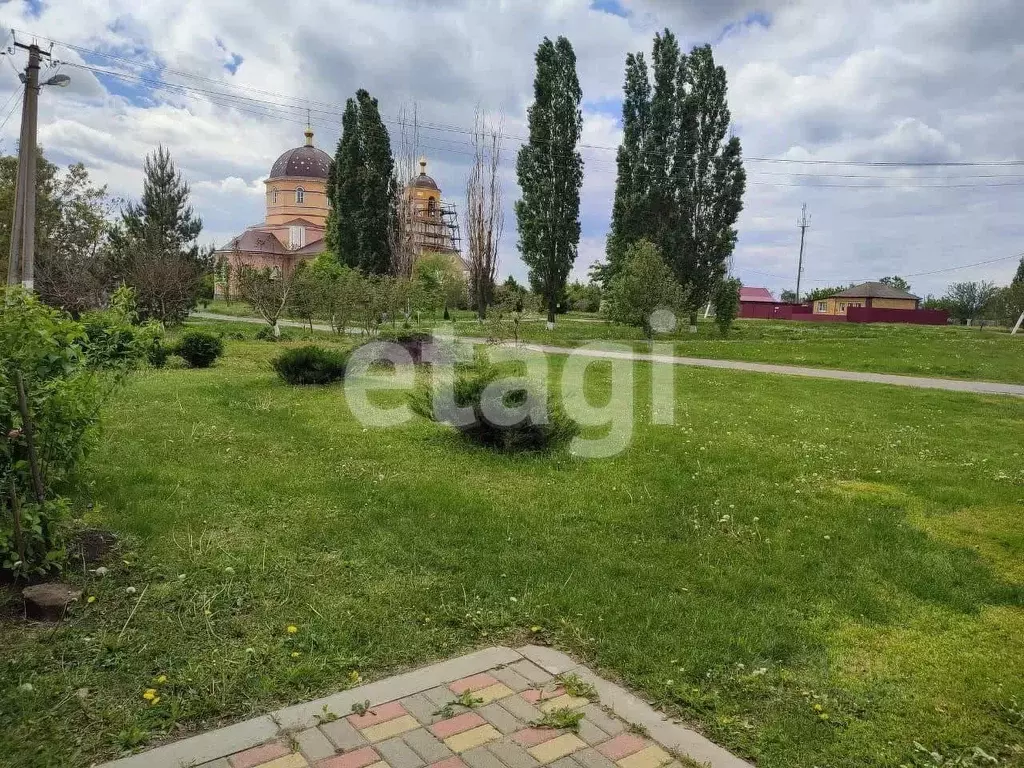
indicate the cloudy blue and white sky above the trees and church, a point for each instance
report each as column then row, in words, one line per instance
column 865, row 81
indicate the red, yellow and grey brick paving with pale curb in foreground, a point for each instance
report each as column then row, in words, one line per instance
column 486, row 710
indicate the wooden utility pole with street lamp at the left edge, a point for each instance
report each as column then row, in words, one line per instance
column 21, row 269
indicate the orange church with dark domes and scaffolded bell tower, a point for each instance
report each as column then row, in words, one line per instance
column 297, row 208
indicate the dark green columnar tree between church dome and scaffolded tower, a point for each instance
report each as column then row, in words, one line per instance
column 362, row 189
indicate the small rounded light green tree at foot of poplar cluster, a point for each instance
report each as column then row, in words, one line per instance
column 644, row 285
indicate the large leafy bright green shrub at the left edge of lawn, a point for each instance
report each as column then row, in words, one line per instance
column 65, row 392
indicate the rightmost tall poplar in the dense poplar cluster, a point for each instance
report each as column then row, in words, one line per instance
column 710, row 180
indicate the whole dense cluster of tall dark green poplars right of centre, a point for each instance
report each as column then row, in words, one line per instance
column 681, row 181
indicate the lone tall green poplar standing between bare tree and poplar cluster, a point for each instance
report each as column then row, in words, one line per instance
column 550, row 174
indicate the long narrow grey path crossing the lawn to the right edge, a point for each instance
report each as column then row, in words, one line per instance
column 920, row 382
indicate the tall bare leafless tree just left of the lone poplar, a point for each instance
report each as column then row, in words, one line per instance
column 485, row 215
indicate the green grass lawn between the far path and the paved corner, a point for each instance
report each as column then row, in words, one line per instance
column 814, row 573
